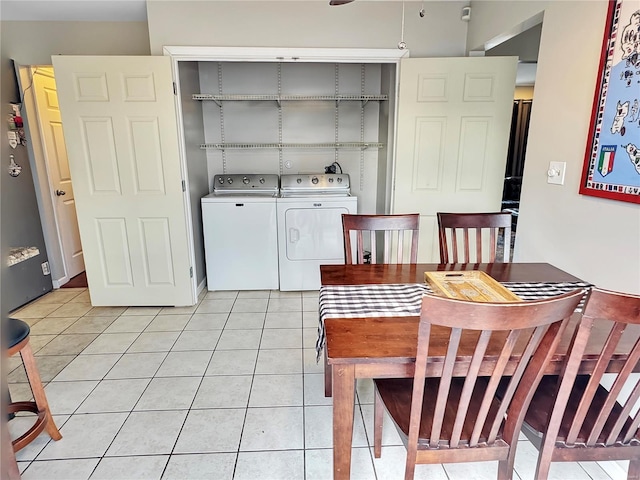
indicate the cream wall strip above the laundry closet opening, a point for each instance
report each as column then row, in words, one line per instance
column 361, row 24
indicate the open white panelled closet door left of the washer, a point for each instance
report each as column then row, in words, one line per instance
column 122, row 140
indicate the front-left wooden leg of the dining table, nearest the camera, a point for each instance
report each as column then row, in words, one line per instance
column 344, row 387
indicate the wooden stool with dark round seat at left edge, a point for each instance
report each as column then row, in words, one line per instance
column 17, row 334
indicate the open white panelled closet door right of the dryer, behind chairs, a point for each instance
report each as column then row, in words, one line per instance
column 454, row 117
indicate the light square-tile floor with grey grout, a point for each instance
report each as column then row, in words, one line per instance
column 226, row 389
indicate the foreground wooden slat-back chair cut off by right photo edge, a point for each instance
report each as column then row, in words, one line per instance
column 575, row 417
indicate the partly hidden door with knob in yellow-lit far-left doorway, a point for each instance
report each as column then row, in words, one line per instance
column 55, row 154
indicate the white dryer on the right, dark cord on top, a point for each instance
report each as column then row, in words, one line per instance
column 310, row 209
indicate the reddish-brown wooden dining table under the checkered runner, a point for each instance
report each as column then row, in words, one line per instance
column 385, row 346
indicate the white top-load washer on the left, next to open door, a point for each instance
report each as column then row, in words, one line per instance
column 239, row 221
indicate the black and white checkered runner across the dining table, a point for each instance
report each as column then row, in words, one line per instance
column 404, row 300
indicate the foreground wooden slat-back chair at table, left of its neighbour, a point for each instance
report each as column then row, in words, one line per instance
column 454, row 415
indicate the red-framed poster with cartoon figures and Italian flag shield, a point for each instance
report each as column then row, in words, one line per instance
column 612, row 159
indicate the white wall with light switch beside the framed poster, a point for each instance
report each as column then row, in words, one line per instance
column 595, row 239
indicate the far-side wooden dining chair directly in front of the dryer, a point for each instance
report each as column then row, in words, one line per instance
column 399, row 235
